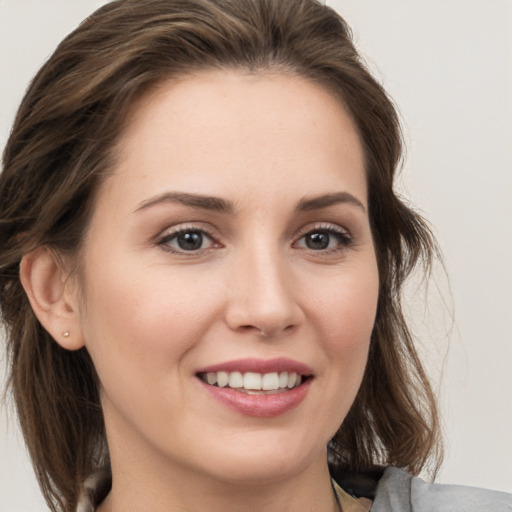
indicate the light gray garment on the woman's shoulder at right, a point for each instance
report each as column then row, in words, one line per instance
column 397, row 491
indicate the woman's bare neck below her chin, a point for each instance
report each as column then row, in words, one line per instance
column 143, row 488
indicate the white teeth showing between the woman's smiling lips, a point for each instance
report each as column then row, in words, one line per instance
column 254, row 383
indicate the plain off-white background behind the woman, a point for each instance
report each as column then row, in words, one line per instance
column 448, row 66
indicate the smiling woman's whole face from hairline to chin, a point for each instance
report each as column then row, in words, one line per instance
column 231, row 247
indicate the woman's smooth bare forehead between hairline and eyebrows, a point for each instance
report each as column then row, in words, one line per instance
column 239, row 130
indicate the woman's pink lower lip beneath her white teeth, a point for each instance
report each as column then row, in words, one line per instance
column 260, row 406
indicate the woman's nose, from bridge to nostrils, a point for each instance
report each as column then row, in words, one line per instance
column 262, row 295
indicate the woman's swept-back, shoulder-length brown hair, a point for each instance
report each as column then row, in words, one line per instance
column 61, row 146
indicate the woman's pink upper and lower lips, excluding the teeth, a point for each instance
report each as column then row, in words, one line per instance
column 259, row 405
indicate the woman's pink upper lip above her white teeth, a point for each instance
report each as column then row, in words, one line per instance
column 281, row 364
